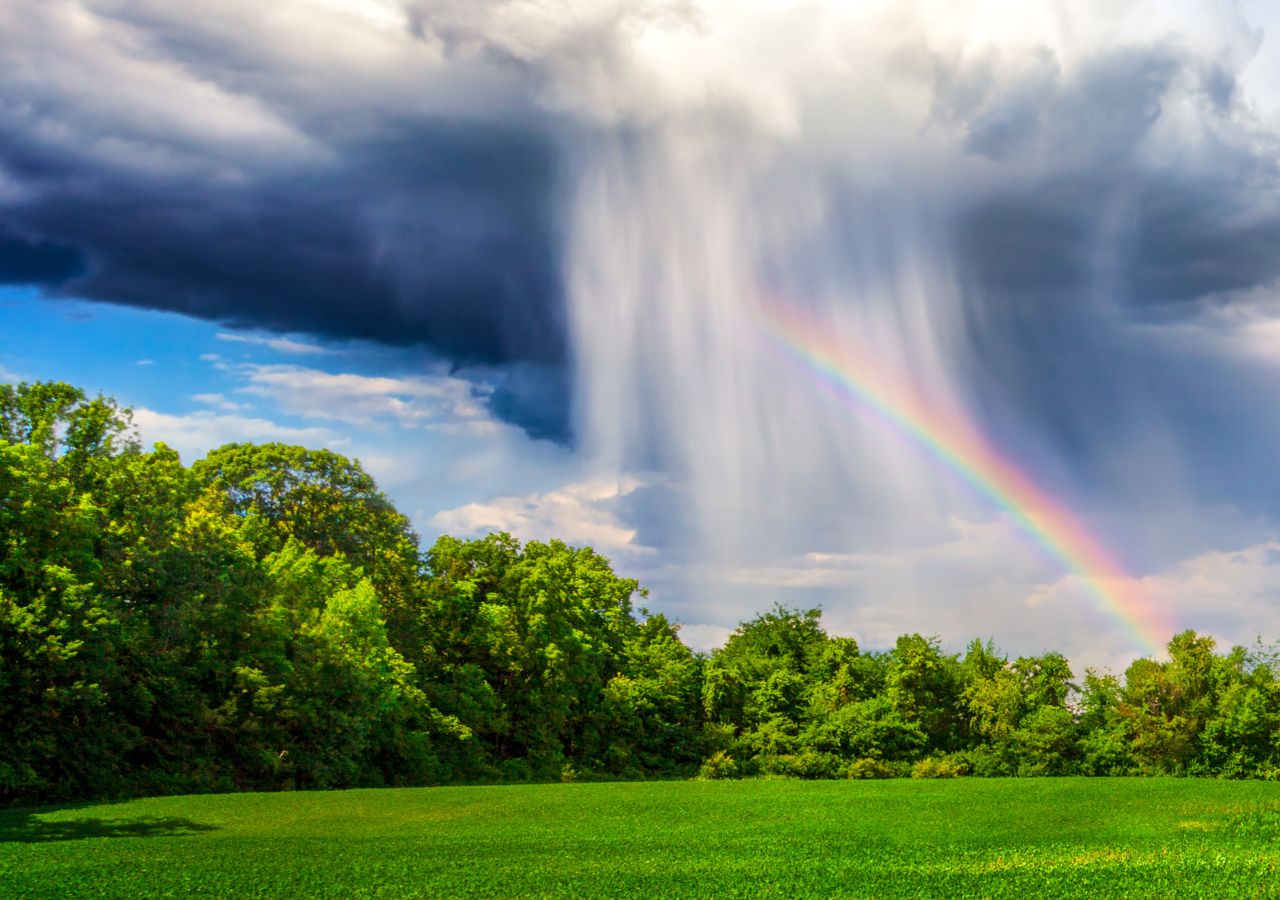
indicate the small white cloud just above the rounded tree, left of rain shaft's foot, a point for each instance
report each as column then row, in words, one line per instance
column 577, row 514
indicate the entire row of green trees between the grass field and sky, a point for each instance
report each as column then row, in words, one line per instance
column 266, row 620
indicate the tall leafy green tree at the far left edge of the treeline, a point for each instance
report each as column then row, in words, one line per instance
column 57, row 629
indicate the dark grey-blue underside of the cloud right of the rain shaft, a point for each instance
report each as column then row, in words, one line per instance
column 1169, row 244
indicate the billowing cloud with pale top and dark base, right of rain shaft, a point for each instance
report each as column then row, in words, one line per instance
column 1095, row 202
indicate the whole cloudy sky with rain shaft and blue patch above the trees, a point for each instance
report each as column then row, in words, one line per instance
column 527, row 262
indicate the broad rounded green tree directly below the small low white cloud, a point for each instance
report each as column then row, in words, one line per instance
column 529, row 638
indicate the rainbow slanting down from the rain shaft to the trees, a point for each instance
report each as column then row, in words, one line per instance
column 950, row 440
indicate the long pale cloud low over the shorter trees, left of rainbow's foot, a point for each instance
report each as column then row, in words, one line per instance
column 980, row 579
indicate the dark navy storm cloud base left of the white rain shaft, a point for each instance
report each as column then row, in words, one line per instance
column 440, row 235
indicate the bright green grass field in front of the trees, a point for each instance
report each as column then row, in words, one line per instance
column 964, row 838
